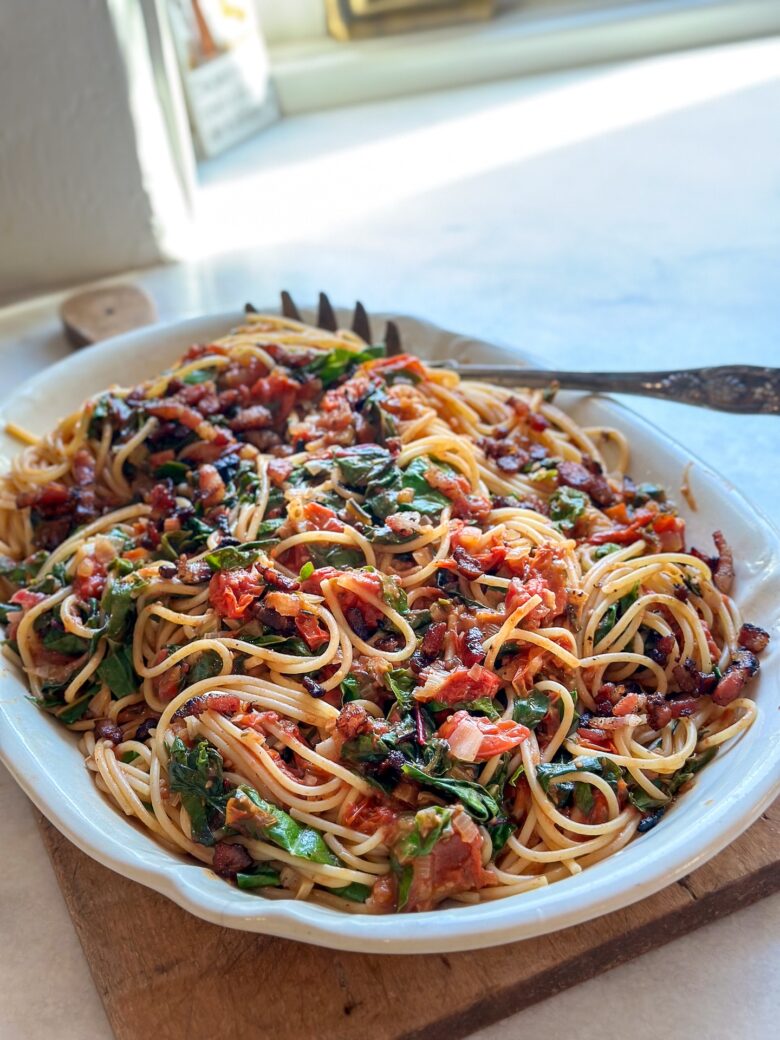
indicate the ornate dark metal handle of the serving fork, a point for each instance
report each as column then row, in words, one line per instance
column 750, row 389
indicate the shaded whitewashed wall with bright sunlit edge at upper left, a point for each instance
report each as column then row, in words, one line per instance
column 75, row 199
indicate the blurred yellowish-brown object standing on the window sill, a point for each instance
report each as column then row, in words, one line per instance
column 361, row 19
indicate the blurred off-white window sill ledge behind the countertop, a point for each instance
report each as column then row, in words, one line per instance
column 322, row 73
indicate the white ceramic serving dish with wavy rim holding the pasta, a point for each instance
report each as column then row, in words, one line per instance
column 729, row 796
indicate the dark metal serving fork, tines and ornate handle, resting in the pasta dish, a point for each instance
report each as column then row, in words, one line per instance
column 748, row 389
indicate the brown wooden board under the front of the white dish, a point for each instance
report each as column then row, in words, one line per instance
column 165, row 974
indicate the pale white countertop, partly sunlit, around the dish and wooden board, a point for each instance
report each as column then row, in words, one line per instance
column 616, row 218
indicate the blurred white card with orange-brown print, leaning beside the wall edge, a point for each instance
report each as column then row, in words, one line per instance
column 225, row 71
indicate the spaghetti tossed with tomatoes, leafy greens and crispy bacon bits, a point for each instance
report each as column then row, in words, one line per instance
column 347, row 629
